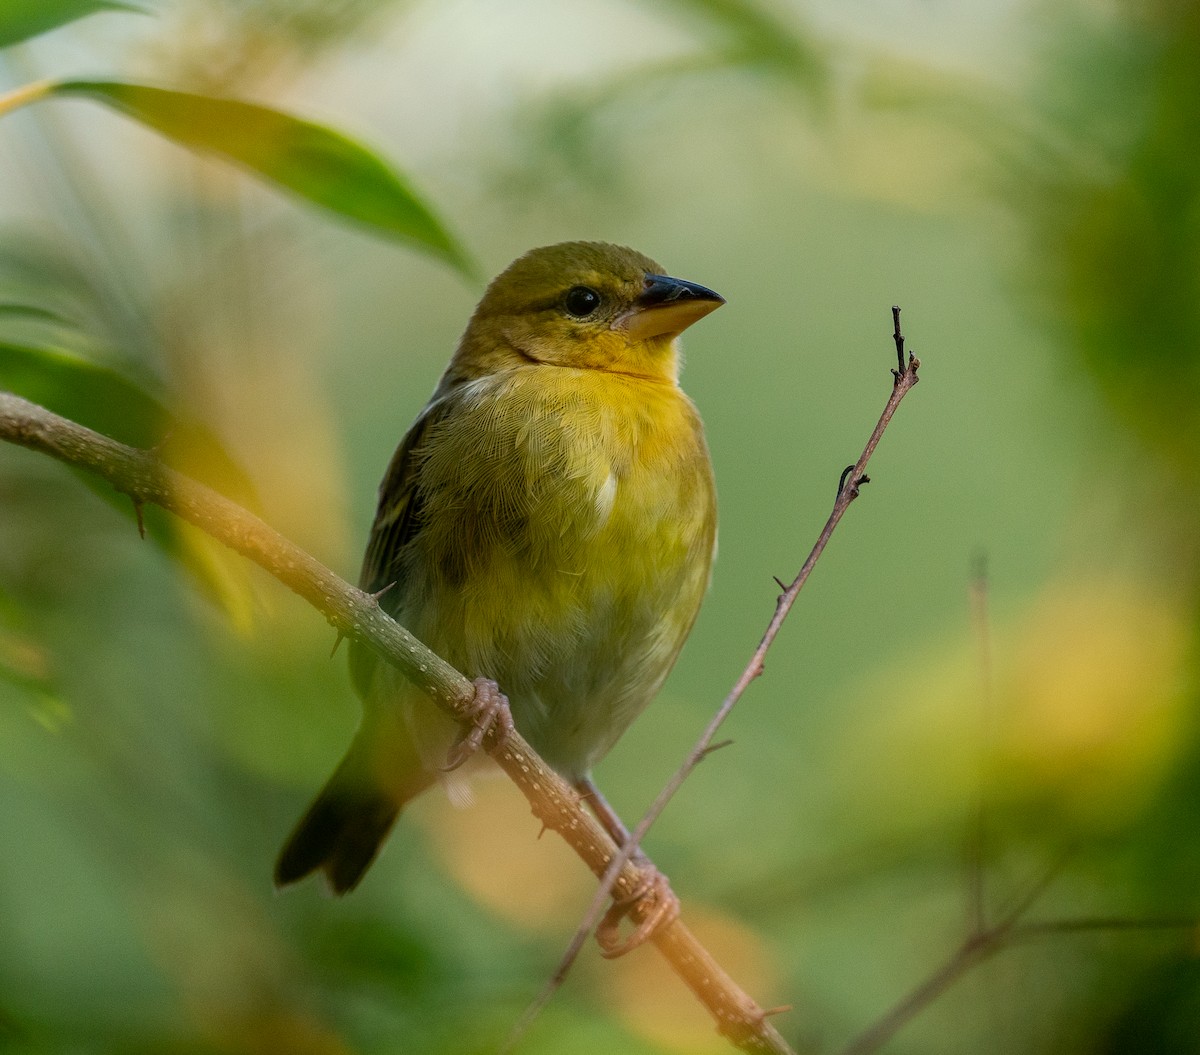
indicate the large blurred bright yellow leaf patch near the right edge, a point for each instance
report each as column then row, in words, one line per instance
column 1085, row 711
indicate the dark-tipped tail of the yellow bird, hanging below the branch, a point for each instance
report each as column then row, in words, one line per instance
column 343, row 831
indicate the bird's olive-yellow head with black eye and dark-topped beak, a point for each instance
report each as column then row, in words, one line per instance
column 585, row 305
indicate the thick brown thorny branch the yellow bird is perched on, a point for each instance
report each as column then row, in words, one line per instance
column 357, row 615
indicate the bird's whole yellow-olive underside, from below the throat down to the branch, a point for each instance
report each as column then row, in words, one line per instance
column 568, row 523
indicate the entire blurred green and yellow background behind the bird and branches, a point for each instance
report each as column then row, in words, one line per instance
column 1021, row 178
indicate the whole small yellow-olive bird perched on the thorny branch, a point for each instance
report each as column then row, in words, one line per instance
column 549, row 523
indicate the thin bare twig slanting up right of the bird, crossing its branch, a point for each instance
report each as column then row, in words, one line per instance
column 853, row 478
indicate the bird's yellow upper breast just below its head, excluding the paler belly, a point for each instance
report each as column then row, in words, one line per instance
column 561, row 469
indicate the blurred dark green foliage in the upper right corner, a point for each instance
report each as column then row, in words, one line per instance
column 1118, row 226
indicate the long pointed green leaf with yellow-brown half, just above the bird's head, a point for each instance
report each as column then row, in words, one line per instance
column 310, row 160
